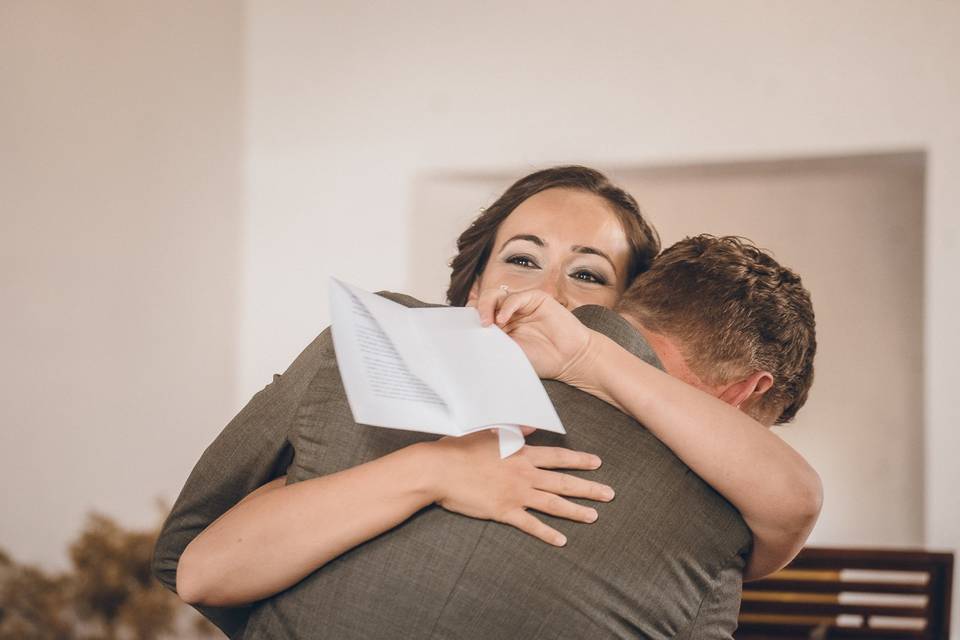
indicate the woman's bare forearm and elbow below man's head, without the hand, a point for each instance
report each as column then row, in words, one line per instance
column 776, row 491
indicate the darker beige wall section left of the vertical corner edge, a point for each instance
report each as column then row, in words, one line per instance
column 120, row 199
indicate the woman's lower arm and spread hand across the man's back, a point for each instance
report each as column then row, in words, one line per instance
column 280, row 533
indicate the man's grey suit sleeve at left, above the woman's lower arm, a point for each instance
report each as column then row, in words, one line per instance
column 253, row 449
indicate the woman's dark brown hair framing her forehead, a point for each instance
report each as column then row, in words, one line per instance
column 475, row 244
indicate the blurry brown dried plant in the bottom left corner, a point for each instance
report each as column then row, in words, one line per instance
column 109, row 593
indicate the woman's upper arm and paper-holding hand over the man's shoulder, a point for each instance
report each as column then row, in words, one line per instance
column 776, row 491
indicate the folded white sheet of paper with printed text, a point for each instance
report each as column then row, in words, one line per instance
column 435, row 370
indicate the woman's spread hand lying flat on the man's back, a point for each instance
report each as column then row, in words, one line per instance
column 474, row 481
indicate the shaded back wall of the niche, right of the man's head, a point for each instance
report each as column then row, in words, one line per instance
column 853, row 229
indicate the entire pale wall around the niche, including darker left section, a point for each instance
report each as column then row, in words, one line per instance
column 134, row 134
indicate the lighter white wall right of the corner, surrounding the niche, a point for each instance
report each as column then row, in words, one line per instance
column 349, row 106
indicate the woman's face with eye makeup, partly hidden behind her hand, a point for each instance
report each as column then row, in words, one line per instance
column 566, row 242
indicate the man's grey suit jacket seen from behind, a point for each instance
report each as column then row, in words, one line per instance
column 664, row 560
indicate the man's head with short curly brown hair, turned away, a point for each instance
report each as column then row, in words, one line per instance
column 726, row 317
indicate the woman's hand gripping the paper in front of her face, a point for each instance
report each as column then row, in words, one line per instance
column 557, row 344
